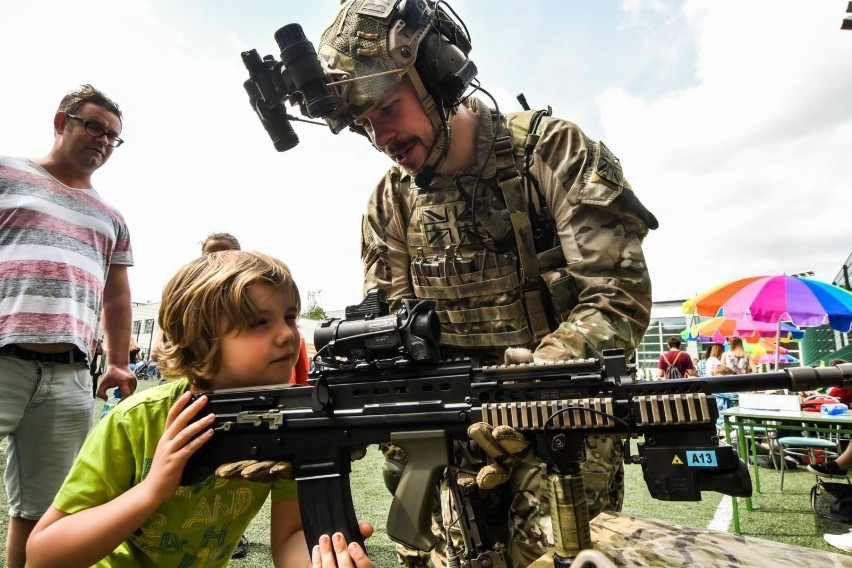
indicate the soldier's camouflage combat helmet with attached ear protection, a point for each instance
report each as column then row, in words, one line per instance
column 372, row 44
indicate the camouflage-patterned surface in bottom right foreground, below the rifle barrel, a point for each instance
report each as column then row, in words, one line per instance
column 652, row 543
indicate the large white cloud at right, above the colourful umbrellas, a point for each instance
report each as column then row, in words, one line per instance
column 747, row 170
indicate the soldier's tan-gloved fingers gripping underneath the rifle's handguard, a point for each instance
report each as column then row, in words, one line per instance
column 506, row 448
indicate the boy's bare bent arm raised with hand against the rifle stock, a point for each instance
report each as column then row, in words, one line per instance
column 87, row 536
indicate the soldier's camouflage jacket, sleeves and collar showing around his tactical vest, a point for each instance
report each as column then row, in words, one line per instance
column 600, row 235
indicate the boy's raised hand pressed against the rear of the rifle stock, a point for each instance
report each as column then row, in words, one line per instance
column 181, row 439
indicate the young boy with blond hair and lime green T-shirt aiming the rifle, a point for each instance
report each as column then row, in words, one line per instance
column 231, row 322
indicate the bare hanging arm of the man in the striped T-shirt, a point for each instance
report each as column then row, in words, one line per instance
column 117, row 321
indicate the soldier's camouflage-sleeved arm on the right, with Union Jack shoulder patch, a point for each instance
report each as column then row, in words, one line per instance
column 601, row 238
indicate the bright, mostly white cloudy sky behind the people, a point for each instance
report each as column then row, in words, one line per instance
column 732, row 120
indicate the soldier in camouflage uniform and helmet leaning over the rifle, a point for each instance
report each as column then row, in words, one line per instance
column 522, row 229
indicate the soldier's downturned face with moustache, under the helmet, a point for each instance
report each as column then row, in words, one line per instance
column 398, row 126
